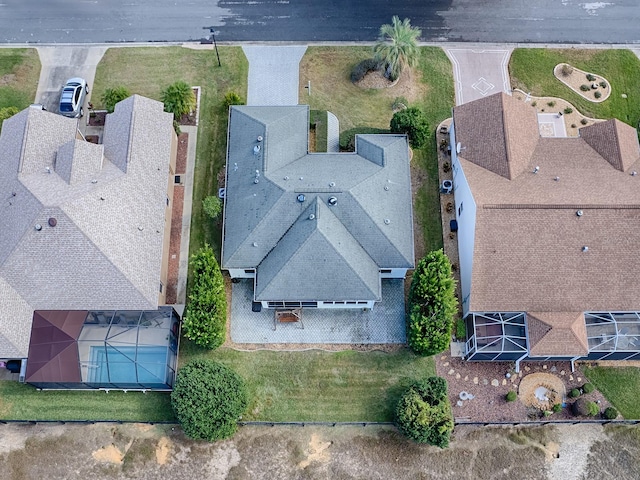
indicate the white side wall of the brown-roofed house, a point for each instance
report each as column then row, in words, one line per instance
column 466, row 215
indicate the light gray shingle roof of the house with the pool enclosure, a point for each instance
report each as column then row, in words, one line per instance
column 105, row 249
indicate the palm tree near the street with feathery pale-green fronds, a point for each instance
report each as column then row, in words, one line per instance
column 397, row 46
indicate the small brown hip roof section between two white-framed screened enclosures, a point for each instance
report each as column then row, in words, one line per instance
column 553, row 333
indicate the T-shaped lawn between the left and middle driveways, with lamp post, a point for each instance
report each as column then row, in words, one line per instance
column 147, row 71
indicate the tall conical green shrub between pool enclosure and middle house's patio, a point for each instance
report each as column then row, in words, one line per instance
column 206, row 313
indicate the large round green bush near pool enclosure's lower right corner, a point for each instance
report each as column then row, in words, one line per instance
column 208, row 399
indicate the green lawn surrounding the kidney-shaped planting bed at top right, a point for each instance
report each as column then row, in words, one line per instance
column 531, row 70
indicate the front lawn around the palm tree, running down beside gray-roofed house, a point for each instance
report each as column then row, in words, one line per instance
column 431, row 88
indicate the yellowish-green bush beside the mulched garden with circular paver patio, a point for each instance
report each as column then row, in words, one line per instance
column 424, row 414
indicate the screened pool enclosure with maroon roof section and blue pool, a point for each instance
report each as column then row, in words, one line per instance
column 126, row 350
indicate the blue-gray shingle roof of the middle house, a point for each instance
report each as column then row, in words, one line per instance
column 262, row 214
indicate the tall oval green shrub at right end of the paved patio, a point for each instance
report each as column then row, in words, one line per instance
column 432, row 304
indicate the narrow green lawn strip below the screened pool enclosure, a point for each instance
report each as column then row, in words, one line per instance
column 23, row 402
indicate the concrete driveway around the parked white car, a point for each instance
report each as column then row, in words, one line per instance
column 61, row 63
